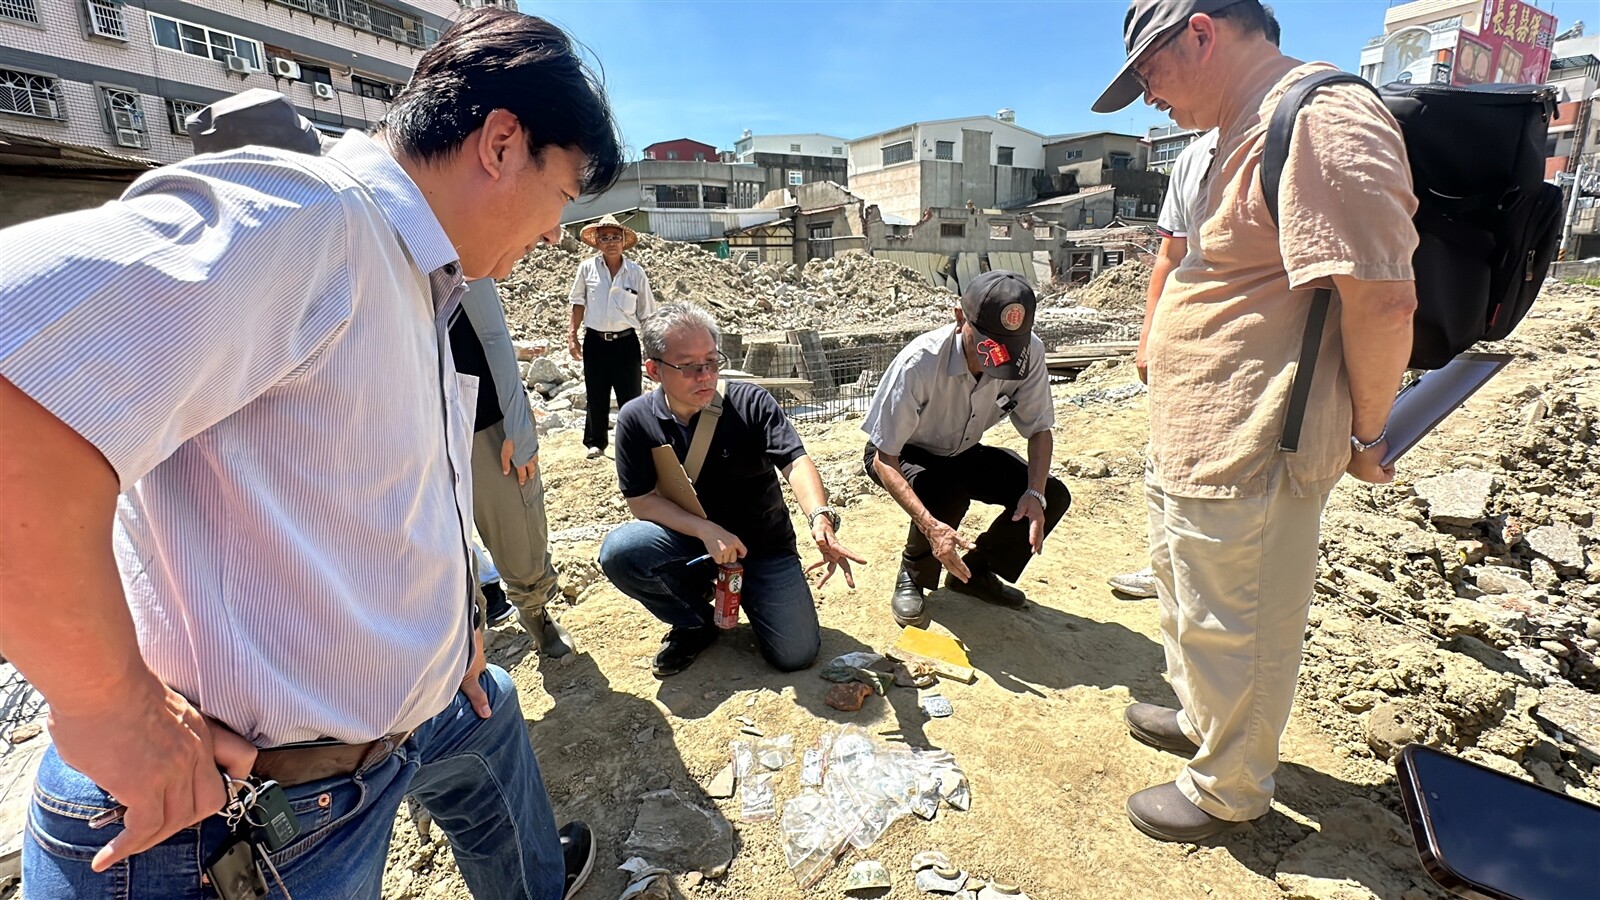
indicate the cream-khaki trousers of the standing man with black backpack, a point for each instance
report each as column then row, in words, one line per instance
column 1234, row 581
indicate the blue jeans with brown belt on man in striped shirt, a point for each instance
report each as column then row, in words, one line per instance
column 476, row 777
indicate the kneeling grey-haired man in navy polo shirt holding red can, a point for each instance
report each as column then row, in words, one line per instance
column 748, row 520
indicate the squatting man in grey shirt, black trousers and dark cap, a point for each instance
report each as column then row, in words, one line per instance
column 924, row 446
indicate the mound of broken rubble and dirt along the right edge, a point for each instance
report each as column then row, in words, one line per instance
column 1463, row 609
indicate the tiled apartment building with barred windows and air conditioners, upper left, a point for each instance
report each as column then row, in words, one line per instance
column 121, row 76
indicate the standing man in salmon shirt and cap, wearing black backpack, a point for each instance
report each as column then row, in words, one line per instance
column 1234, row 520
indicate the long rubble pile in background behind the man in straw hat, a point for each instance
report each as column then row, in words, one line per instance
column 846, row 292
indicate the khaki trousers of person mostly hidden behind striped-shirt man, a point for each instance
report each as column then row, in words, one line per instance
column 513, row 526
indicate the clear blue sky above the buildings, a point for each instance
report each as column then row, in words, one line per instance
column 852, row 68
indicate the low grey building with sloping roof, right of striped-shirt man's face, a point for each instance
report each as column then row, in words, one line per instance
column 666, row 185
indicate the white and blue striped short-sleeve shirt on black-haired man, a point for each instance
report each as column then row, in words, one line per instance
column 257, row 344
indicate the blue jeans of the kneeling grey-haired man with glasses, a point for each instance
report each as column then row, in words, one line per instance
column 647, row 563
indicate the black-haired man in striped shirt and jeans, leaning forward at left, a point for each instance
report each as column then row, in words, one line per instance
column 228, row 406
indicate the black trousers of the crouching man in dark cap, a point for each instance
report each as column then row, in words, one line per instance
column 948, row 486
